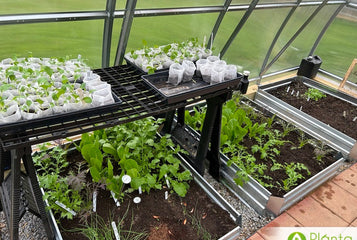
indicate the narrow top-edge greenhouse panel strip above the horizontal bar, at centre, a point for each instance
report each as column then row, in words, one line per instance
column 145, row 4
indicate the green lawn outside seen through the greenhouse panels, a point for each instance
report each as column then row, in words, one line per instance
column 337, row 49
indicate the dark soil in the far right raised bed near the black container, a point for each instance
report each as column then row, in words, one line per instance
column 333, row 111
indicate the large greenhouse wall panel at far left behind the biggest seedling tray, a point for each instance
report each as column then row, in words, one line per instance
column 54, row 40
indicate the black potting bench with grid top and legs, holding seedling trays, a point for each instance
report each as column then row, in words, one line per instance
column 19, row 189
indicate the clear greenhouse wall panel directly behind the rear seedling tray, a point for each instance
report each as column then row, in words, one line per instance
column 168, row 29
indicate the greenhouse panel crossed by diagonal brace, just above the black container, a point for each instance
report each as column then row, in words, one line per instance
column 302, row 45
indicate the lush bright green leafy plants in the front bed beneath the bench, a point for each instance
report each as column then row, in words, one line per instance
column 135, row 150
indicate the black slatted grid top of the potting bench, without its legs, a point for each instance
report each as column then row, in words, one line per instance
column 137, row 101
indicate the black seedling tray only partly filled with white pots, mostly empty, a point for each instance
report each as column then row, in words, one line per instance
column 195, row 88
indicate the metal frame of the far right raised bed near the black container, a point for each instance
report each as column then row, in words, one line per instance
column 311, row 125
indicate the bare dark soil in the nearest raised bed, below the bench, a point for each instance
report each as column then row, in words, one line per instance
column 159, row 218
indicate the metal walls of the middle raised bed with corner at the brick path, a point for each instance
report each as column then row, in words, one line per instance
column 257, row 196
